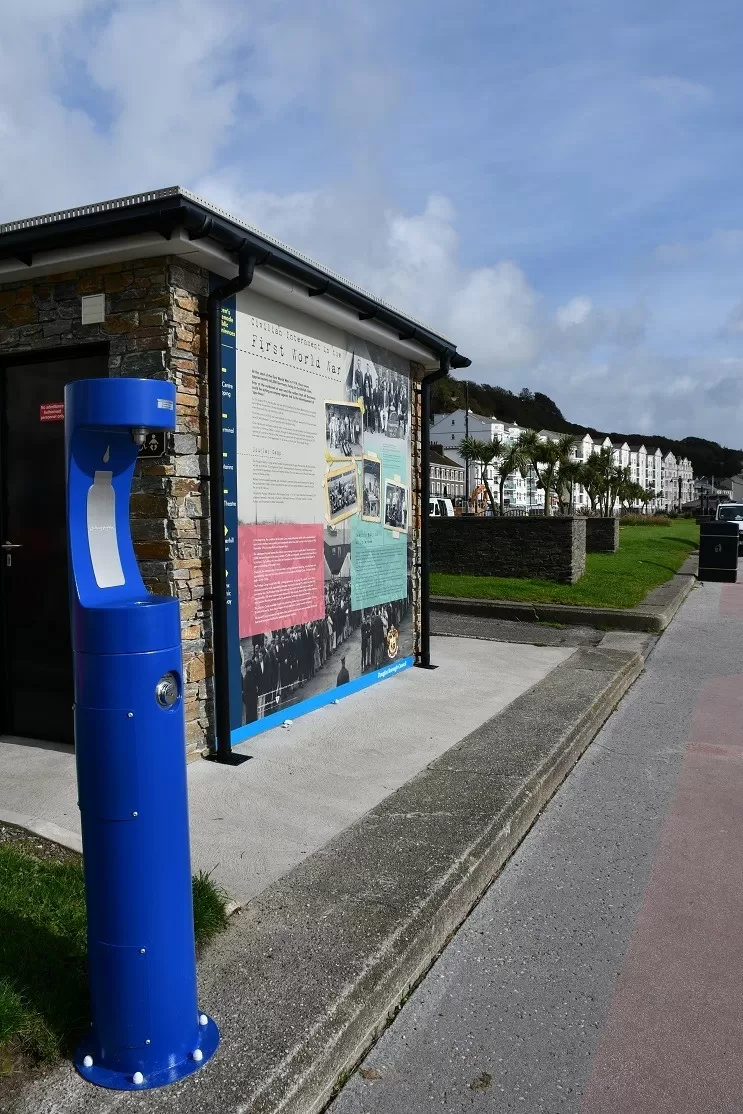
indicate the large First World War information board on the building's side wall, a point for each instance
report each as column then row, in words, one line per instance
column 318, row 515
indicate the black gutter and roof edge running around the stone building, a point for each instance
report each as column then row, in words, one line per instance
column 164, row 216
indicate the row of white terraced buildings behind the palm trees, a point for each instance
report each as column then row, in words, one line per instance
column 671, row 481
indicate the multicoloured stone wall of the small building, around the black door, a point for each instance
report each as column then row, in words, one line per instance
column 155, row 328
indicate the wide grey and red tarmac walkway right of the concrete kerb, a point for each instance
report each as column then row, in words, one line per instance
column 603, row 972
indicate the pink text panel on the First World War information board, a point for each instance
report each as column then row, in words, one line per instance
column 281, row 578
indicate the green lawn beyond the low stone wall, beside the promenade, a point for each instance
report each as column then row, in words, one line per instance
column 648, row 556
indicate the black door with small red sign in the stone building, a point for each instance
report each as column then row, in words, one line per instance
column 37, row 699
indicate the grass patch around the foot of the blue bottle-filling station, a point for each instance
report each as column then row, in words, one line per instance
column 44, row 986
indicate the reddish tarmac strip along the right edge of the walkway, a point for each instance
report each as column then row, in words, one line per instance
column 674, row 1035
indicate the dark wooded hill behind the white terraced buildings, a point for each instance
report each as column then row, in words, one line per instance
column 535, row 411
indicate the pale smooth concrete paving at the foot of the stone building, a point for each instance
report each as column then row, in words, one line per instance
column 305, row 785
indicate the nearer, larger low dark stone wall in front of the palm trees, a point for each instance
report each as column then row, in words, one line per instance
column 544, row 549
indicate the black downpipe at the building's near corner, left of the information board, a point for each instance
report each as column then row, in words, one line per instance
column 220, row 640
